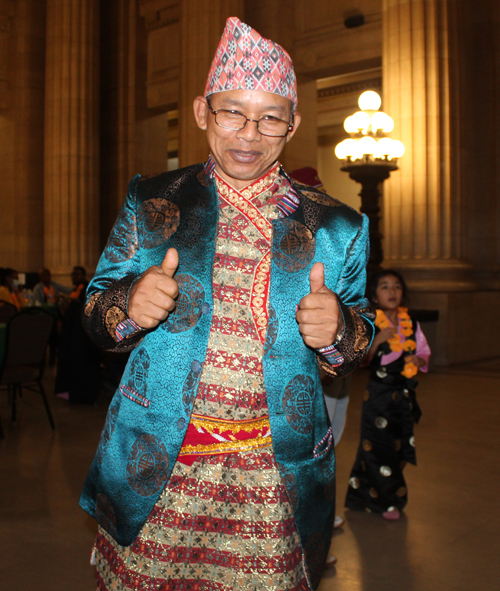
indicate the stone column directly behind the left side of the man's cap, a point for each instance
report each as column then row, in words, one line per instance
column 202, row 23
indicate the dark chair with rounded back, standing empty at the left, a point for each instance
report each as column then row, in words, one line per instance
column 25, row 344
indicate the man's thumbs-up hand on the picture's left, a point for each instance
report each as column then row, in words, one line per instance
column 152, row 297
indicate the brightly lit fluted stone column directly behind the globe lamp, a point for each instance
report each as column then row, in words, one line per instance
column 423, row 224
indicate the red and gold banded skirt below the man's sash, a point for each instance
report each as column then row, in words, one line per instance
column 222, row 524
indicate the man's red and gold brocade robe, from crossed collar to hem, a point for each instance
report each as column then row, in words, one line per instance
column 223, row 523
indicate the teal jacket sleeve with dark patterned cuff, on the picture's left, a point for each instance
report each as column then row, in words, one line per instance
column 105, row 314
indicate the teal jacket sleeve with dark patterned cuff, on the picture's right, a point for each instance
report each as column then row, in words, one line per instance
column 358, row 315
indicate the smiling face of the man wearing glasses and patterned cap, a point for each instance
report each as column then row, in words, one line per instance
column 244, row 156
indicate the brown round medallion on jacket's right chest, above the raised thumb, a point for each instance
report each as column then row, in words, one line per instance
column 293, row 245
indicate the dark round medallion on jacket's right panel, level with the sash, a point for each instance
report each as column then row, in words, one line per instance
column 297, row 403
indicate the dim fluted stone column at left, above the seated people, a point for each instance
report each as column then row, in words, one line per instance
column 71, row 184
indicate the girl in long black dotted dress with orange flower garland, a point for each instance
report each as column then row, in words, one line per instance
column 390, row 408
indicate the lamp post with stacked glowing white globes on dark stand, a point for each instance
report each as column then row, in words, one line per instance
column 369, row 157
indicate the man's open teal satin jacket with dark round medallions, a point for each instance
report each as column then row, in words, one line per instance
column 150, row 412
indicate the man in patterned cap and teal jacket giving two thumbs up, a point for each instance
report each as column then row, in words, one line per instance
column 215, row 468
